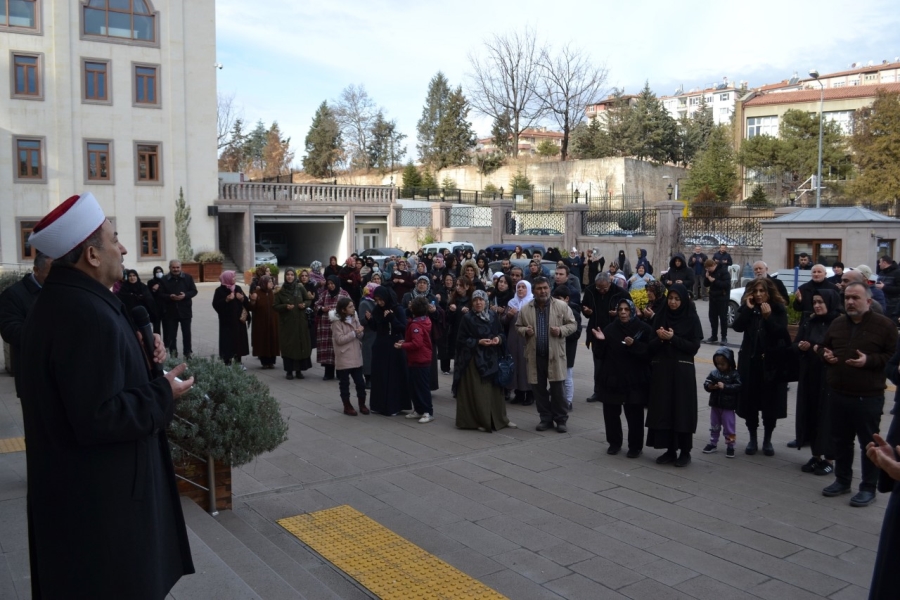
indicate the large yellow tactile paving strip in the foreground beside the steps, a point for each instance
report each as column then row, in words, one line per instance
column 388, row 565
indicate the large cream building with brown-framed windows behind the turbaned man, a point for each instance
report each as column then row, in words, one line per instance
column 117, row 98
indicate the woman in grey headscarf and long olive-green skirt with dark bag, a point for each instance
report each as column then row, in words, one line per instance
column 479, row 398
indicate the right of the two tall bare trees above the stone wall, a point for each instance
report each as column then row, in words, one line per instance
column 569, row 81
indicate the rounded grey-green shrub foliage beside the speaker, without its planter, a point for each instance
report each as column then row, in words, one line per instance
column 228, row 414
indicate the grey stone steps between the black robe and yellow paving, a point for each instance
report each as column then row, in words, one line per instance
column 241, row 554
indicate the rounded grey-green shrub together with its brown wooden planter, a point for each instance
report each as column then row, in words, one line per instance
column 226, row 420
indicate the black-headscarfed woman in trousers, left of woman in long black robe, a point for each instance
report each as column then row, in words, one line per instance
column 624, row 347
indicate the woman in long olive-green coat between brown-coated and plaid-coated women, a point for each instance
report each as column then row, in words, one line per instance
column 291, row 301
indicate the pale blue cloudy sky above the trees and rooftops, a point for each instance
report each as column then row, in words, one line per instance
column 282, row 58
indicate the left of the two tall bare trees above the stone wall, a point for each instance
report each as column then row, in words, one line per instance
column 504, row 83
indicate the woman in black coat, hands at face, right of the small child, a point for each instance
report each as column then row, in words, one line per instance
column 762, row 318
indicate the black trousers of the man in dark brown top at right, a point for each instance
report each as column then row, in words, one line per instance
column 854, row 417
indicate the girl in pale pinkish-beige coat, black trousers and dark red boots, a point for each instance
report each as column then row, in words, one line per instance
column 347, row 334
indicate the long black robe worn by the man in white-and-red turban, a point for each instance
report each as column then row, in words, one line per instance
column 104, row 517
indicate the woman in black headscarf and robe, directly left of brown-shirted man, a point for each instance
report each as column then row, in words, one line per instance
column 813, row 427
